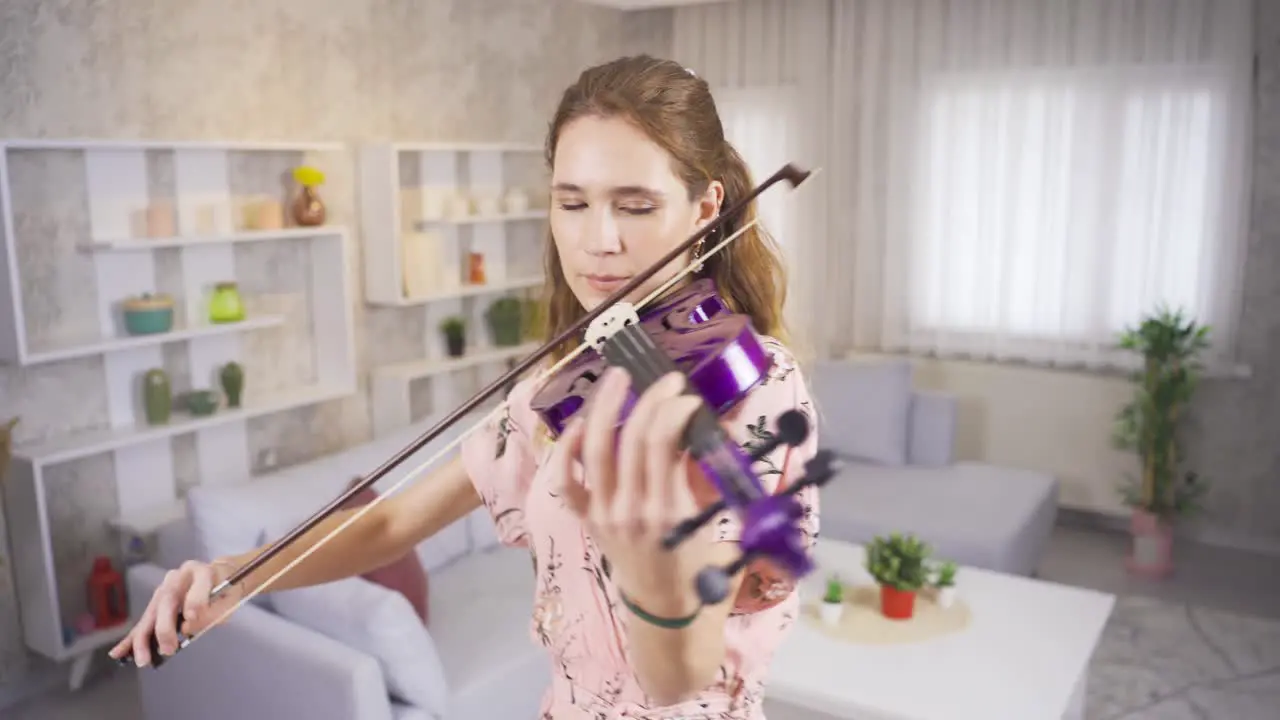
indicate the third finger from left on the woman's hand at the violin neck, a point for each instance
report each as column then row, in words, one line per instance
column 627, row 511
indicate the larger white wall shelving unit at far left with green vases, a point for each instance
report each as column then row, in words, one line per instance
column 118, row 185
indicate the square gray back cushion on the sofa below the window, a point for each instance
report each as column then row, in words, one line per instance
column 865, row 408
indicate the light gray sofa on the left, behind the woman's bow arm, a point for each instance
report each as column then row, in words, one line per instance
column 349, row 650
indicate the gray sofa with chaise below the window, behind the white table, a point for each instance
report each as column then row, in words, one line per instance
column 903, row 475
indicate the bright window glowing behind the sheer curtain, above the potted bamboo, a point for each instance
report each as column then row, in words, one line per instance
column 1058, row 208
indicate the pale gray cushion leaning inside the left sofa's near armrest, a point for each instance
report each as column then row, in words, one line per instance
column 380, row 623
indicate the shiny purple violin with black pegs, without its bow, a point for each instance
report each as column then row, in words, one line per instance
column 694, row 332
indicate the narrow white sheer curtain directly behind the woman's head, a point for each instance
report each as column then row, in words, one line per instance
column 767, row 63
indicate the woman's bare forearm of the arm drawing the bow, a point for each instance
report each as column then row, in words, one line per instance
column 386, row 532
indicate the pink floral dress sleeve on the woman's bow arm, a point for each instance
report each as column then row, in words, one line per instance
column 500, row 458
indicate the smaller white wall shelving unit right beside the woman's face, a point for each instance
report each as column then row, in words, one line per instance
column 426, row 208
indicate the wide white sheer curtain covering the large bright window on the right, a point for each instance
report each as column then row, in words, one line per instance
column 1028, row 177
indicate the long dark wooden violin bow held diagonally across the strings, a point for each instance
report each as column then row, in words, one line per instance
column 790, row 174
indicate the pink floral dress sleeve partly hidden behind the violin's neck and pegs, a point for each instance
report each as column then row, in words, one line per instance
column 752, row 425
